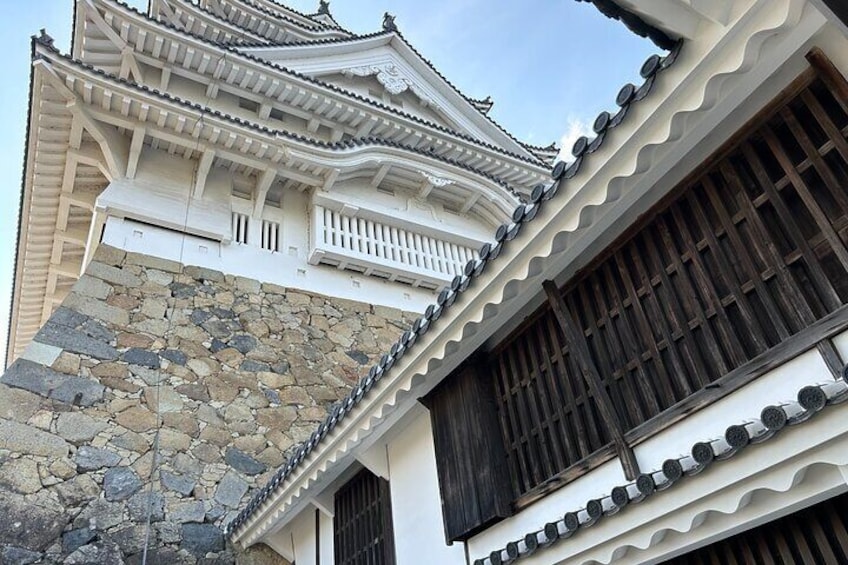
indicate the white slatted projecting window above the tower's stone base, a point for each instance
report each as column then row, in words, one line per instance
column 379, row 249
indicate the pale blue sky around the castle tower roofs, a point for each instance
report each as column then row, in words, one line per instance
column 550, row 65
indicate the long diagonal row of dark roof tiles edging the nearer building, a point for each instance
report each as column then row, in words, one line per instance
column 523, row 213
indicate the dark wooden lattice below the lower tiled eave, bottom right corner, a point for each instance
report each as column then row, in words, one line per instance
column 818, row 534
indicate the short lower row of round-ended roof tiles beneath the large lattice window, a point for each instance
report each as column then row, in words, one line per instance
column 774, row 418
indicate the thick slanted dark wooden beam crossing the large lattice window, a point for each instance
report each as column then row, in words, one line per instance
column 579, row 350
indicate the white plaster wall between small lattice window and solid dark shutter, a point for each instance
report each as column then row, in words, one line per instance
column 416, row 503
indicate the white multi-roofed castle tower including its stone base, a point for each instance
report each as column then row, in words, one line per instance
column 230, row 209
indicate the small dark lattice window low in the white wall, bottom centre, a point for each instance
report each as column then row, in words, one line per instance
column 363, row 522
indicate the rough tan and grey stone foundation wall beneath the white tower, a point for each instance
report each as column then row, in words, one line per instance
column 156, row 398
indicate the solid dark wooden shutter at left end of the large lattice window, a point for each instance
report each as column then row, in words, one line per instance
column 470, row 457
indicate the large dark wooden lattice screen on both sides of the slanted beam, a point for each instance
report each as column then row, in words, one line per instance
column 749, row 252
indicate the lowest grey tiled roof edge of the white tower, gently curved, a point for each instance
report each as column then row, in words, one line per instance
column 366, row 141
